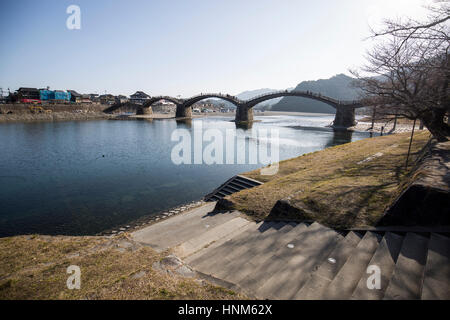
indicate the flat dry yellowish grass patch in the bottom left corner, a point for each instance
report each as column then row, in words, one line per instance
column 34, row 267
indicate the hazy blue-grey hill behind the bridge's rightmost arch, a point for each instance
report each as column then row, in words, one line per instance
column 337, row 87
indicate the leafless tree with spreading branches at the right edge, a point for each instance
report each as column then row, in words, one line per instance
column 409, row 70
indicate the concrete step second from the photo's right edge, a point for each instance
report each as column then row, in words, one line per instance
column 407, row 279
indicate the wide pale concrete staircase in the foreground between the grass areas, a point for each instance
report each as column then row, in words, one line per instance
column 285, row 260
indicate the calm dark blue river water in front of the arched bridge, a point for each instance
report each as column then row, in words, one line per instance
column 79, row 178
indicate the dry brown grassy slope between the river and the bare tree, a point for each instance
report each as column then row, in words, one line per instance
column 333, row 186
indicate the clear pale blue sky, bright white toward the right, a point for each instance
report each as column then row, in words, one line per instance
column 185, row 47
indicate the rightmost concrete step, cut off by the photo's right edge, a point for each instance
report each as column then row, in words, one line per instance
column 436, row 284
